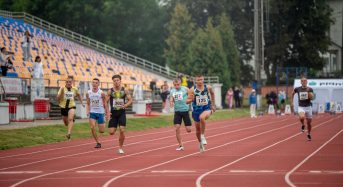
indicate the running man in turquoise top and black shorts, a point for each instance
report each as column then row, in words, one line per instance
column 178, row 101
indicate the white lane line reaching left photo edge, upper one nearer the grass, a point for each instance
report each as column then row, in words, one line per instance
column 129, row 137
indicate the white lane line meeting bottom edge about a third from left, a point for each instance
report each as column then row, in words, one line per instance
column 179, row 158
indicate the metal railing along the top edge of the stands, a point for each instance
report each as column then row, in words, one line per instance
column 101, row 47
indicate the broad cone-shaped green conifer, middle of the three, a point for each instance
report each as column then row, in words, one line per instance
column 207, row 56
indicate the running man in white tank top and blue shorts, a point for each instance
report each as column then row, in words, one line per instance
column 96, row 108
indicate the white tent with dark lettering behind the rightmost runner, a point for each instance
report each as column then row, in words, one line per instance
column 325, row 91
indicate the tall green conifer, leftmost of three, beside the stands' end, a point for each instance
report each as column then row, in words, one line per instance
column 181, row 33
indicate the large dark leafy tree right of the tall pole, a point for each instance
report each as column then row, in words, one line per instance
column 297, row 35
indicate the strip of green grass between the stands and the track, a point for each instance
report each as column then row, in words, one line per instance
column 26, row 137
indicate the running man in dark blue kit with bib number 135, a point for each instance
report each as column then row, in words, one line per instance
column 202, row 98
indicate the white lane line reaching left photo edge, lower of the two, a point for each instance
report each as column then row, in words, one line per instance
column 103, row 149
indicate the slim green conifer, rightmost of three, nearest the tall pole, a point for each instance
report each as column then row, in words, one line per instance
column 230, row 49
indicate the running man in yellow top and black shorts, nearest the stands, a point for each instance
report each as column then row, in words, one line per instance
column 65, row 98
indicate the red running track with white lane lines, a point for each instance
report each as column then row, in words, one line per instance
column 268, row 151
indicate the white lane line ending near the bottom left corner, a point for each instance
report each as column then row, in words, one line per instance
column 150, row 150
